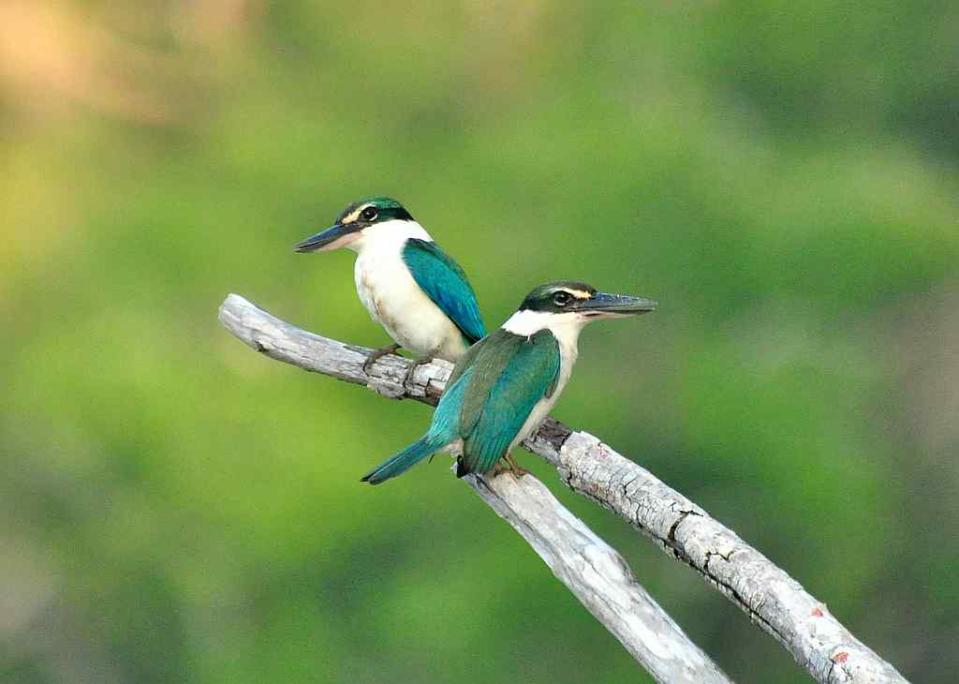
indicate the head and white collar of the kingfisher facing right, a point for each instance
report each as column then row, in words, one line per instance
column 572, row 304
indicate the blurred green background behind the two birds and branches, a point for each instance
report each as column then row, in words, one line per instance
column 783, row 177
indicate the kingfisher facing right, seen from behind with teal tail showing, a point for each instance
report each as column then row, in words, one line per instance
column 505, row 384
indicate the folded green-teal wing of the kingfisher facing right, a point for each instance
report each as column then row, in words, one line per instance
column 508, row 379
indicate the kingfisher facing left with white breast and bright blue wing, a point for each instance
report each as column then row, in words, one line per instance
column 407, row 283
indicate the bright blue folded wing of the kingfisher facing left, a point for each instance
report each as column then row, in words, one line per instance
column 445, row 283
